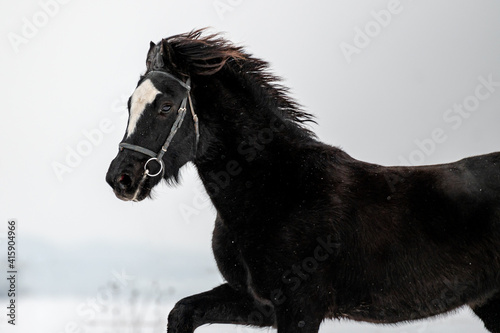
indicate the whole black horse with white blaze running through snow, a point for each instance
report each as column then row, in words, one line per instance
column 303, row 231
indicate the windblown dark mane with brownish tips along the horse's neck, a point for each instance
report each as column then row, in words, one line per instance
column 193, row 53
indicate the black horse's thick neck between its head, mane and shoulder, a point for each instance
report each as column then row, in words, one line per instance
column 253, row 167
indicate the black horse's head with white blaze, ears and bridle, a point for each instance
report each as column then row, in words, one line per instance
column 158, row 140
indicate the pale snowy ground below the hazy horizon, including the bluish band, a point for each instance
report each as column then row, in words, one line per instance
column 79, row 290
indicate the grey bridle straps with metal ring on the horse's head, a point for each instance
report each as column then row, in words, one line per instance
column 158, row 157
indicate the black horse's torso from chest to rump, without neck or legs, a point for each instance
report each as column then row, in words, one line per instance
column 405, row 243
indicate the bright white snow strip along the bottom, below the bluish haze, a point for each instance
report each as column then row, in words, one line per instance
column 136, row 316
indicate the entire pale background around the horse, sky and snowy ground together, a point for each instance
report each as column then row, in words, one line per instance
column 75, row 64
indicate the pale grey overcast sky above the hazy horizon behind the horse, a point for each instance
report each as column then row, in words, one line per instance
column 391, row 82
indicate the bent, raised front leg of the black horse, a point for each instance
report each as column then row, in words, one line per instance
column 221, row 305
